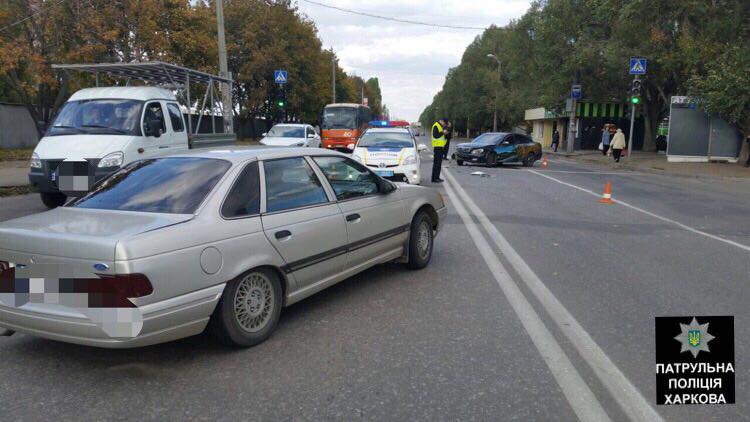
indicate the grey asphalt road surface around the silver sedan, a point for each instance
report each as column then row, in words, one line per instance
column 539, row 304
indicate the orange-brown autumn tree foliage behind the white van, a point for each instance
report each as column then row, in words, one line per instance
column 261, row 35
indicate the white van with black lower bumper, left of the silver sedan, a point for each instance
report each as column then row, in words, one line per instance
column 107, row 128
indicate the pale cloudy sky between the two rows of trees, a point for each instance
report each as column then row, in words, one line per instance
column 411, row 61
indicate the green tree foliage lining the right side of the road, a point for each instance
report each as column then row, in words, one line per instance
column 542, row 52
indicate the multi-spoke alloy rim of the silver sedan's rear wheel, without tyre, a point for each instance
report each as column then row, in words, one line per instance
column 253, row 302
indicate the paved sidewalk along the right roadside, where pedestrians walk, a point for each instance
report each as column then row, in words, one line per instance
column 651, row 162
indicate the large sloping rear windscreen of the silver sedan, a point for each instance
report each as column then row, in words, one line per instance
column 166, row 185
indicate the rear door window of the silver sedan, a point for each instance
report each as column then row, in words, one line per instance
column 291, row 183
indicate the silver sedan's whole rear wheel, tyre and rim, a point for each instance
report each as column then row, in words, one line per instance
column 249, row 309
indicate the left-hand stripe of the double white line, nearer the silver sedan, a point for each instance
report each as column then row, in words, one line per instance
column 576, row 391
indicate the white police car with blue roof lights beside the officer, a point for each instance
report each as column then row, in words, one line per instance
column 392, row 153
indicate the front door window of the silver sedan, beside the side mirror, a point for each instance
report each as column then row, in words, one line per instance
column 348, row 178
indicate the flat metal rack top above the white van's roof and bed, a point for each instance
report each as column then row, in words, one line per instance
column 156, row 72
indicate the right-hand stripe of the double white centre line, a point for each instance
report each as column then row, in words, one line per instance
column 623, row 391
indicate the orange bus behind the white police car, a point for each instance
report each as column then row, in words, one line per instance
column 342, row 124
